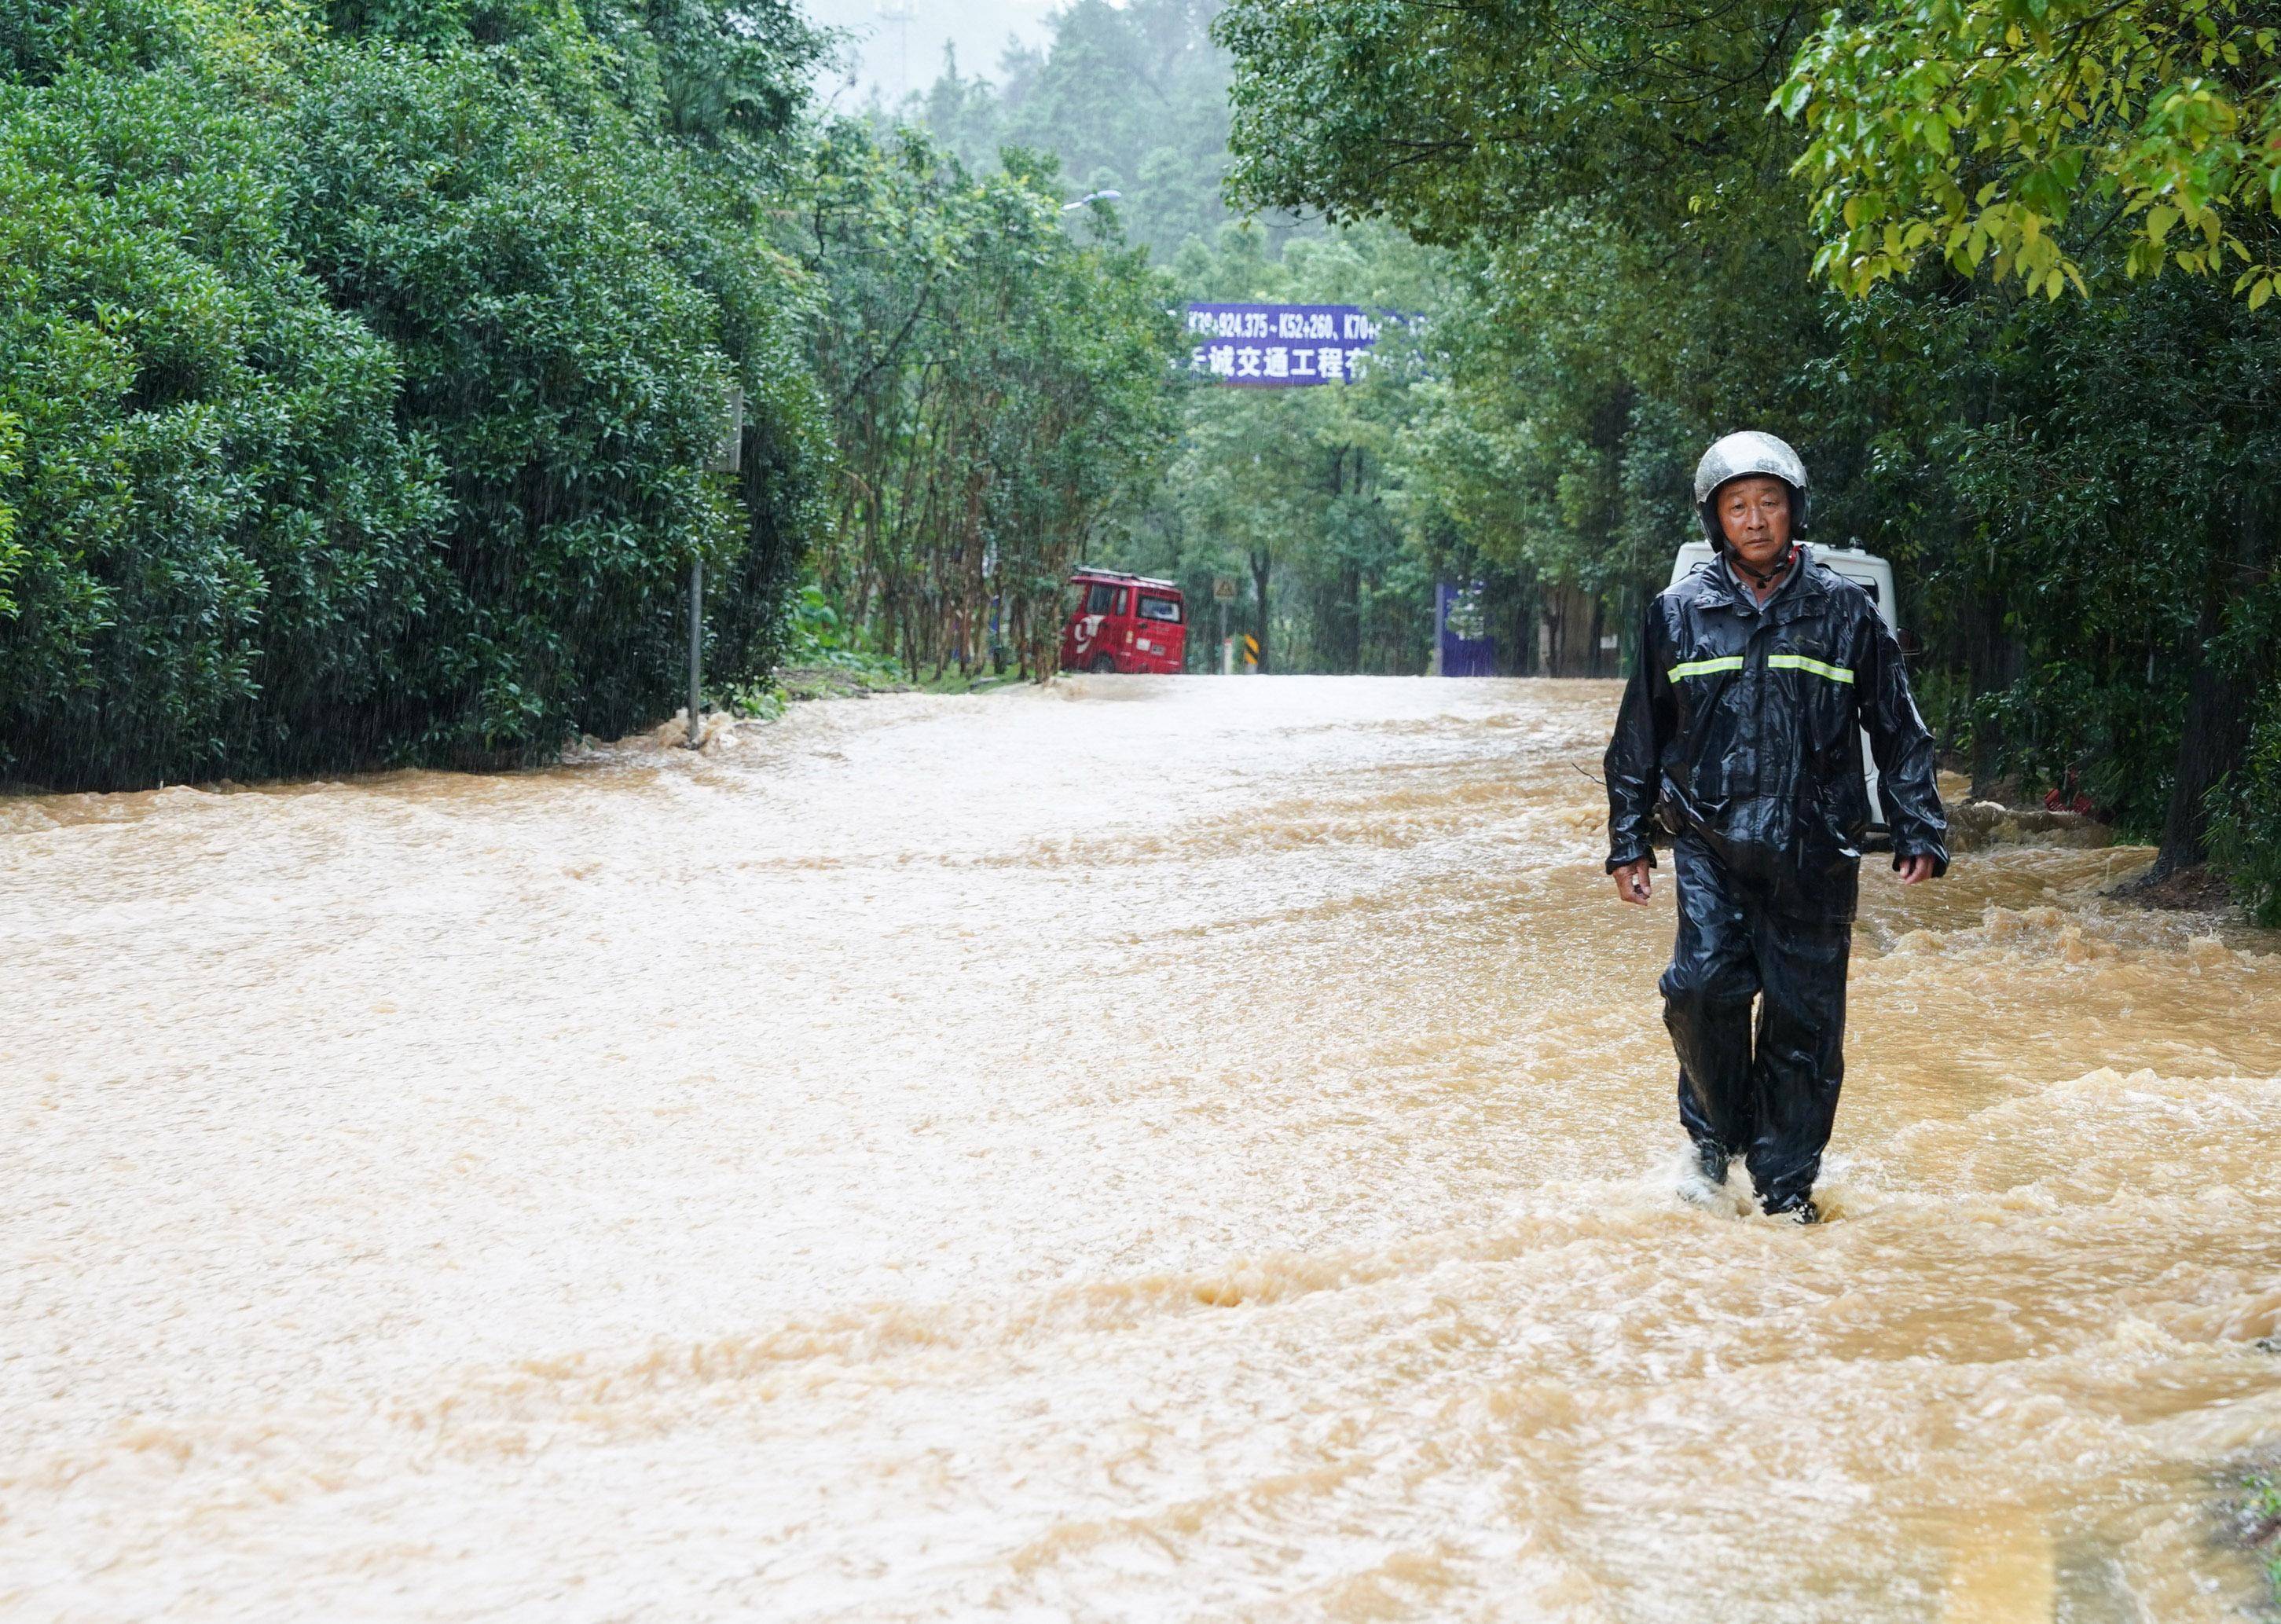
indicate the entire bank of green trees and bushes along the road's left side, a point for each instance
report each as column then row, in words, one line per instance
column 364, row 366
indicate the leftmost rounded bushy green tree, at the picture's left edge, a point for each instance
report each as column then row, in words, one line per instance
column 218, row 519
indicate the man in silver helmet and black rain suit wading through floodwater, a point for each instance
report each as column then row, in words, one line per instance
column 1742, row 729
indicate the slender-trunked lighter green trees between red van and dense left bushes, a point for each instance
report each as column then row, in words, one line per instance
column 1000, row 391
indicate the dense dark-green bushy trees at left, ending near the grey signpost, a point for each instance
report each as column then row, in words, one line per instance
column 368, row 371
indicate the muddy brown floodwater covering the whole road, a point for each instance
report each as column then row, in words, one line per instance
column 1142, row 1151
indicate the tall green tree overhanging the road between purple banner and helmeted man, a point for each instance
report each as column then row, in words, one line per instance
column 1621, row 213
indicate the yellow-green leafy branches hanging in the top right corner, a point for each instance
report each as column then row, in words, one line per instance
column 2022, row 136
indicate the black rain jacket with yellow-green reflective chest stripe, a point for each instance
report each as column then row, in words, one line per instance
column 1744, row 724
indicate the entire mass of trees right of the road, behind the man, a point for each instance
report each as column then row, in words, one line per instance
column 2081, row 494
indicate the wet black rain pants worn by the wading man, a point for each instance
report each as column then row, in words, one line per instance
column 1758, row 925
